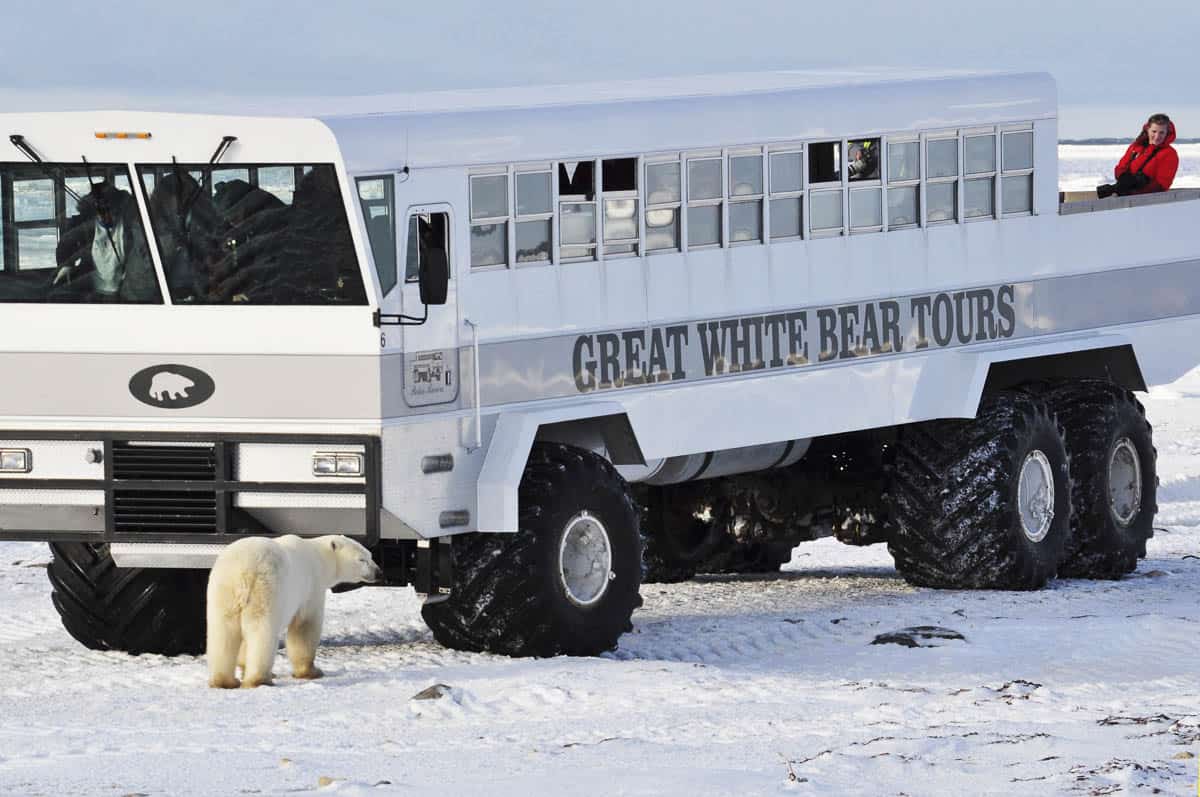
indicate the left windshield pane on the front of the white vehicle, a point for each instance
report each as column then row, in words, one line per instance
column 73, row 233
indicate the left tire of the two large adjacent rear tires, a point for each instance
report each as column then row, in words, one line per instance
column 957, row 499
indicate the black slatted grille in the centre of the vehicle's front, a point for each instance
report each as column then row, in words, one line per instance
column 164, row 511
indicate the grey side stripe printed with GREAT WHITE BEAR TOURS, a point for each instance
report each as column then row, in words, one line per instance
column 814, row 337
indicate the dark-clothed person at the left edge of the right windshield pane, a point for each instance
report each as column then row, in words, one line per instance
column 189, row 233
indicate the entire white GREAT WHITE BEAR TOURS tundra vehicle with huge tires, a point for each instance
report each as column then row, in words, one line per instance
column 509, row 345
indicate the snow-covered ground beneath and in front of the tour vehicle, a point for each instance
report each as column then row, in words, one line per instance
column 728, row 686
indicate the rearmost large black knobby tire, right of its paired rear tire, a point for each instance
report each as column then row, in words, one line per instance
column 1114, row 475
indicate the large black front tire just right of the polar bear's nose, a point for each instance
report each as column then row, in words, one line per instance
column 512, row 595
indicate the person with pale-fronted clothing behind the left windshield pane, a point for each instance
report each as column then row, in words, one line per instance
column 106, row 243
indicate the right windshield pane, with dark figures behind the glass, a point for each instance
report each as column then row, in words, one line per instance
column 256, row 235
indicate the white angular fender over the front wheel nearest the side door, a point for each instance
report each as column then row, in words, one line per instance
column 509, row 451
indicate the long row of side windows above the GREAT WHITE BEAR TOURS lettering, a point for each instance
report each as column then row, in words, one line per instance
column 566, row 212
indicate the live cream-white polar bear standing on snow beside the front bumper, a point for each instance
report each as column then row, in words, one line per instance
column 259, row 588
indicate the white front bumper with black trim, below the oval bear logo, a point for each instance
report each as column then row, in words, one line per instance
column 195, row 489
